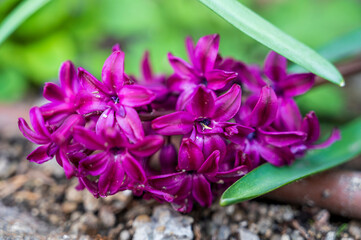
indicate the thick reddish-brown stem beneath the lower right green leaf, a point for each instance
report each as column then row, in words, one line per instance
column 339, row 191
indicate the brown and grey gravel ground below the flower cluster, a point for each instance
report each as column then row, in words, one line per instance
column 42, row 204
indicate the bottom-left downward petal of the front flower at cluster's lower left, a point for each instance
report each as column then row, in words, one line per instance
column 111, row 179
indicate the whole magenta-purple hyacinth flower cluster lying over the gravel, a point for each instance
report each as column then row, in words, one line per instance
column 182, row 138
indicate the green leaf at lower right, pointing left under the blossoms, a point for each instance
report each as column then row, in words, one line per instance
column 267, row 177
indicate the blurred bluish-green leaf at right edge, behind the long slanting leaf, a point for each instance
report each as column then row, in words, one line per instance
column 341, row 48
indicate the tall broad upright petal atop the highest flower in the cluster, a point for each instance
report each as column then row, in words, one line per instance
column 205, row 52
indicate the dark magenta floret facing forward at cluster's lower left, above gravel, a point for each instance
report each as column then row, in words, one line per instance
column 115, row 160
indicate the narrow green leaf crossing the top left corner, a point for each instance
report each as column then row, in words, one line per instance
column 23, row 11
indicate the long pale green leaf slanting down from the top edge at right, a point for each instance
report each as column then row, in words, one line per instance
column 261, row 30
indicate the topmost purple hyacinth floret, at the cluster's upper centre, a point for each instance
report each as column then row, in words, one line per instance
column 201, row 70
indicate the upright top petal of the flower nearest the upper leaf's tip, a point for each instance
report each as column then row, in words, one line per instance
column 275, row 67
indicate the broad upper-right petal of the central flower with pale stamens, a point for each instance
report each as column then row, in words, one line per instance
column 228, row 104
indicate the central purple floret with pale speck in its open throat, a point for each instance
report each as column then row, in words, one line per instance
column 205, row 112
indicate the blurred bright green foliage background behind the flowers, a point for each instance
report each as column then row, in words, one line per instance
column 85, row 30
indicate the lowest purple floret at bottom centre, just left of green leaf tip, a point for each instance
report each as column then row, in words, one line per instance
column 191, row 183
